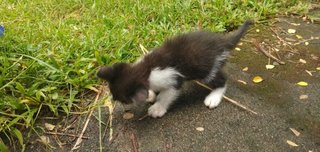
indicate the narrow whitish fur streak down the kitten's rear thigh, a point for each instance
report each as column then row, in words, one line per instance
column 216, row 67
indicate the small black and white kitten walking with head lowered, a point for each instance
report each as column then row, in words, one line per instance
column 192, row 56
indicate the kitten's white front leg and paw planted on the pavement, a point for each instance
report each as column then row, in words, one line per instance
column 164, row 100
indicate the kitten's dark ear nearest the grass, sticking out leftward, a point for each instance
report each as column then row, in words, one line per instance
column 109, row 73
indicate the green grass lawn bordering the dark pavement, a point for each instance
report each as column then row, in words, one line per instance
column 50, row 50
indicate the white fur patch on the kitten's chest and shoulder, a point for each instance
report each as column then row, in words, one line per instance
column 160, row 79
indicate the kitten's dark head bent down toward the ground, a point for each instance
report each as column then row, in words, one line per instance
column 125, row 86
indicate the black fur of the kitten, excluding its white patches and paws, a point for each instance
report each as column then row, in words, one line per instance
column 192, row 54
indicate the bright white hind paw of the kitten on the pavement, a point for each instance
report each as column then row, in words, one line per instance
column 214, row 98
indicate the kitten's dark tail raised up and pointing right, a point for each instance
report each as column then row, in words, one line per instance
column 234, row 37
